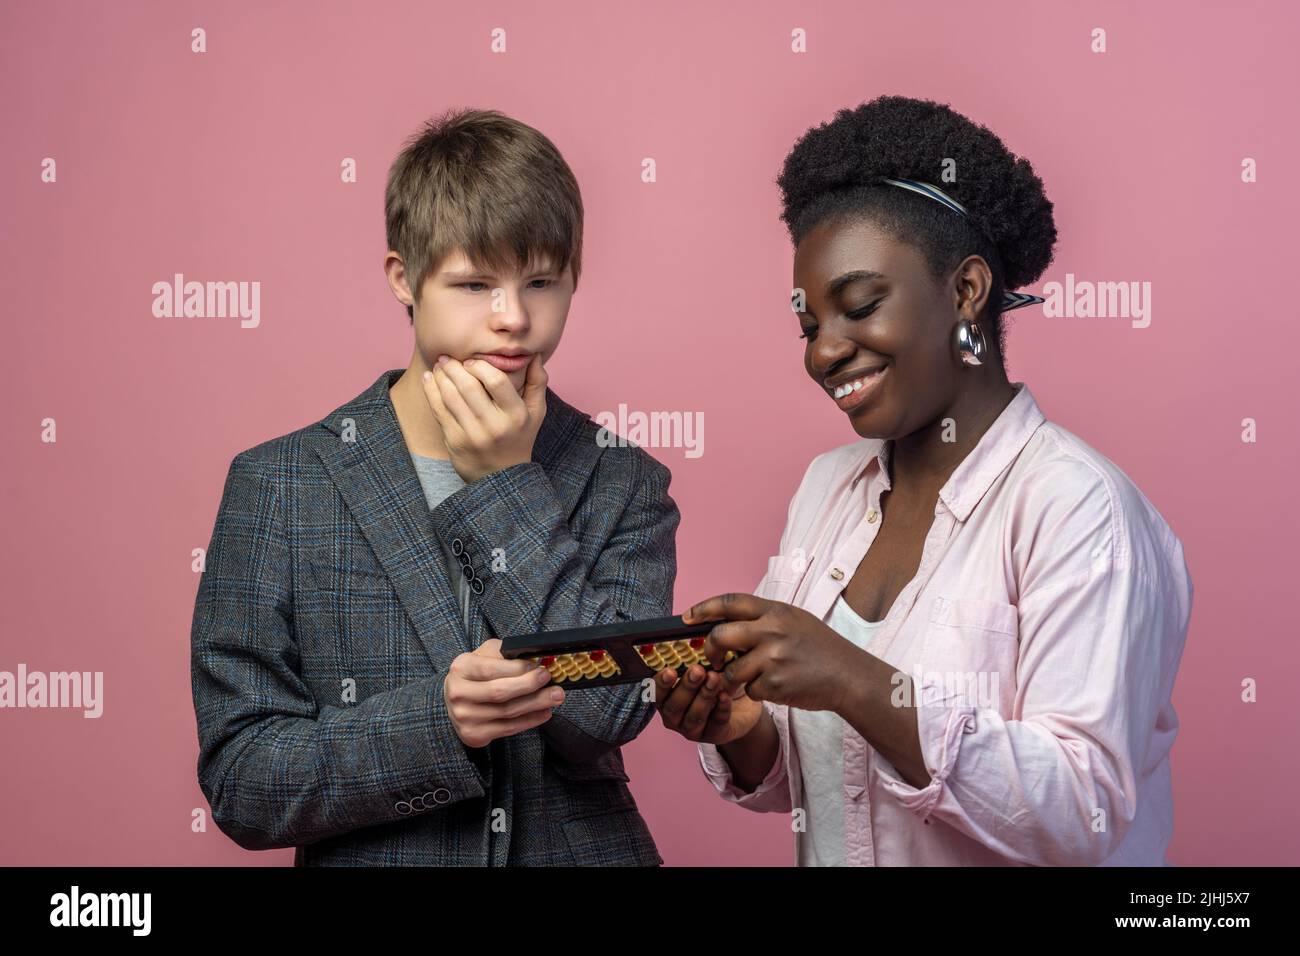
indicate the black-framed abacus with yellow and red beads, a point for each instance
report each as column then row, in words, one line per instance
column 621, row 654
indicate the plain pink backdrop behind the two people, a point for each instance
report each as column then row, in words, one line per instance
column 226, row 166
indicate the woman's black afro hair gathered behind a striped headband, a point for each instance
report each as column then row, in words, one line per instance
column 835, row 171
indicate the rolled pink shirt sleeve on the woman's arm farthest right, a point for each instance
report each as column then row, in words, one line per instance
column 1103, row 615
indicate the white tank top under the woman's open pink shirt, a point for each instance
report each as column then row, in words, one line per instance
column 818, row 738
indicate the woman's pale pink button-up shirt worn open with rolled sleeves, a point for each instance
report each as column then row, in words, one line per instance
column 1043, row 633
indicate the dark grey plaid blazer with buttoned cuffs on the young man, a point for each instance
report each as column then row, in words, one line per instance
column 326, row 624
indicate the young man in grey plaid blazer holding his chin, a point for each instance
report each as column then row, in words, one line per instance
column 350, row 693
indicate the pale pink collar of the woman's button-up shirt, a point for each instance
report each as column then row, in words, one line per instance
column 976, row 474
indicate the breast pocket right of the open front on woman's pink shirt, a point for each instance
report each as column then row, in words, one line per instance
column 970, row 655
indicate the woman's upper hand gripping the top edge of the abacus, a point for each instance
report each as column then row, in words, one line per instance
column 788, row 656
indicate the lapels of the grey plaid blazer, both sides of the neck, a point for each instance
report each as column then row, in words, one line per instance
column 370, row 464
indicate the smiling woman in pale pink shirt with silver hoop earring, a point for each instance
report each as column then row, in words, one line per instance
column 963, row 534
